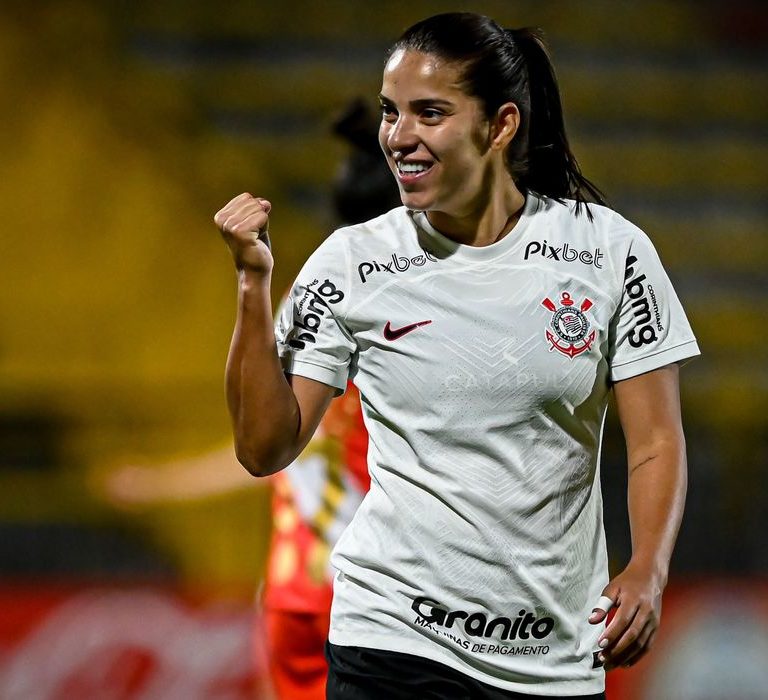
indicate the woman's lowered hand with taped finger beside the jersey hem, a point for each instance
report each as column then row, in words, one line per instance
column 636, row 595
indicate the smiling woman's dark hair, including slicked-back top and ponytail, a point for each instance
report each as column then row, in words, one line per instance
column 511, row 65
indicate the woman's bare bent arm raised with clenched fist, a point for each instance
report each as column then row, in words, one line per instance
column 273, row 416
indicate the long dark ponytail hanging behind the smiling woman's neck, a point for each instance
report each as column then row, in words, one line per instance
column 541, row 160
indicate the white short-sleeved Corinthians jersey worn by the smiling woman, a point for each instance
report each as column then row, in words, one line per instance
column 484, row 375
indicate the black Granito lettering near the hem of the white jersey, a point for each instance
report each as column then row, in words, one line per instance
column 524, row 626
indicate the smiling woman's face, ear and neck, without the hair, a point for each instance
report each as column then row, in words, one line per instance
column 429, row 121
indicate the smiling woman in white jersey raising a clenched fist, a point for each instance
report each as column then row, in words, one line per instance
column 484, row 323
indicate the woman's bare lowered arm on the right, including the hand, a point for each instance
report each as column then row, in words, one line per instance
column 649, row 411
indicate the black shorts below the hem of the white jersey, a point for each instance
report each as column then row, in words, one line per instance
column 357, row 673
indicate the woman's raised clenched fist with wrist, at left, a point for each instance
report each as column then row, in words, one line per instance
column 244, row 225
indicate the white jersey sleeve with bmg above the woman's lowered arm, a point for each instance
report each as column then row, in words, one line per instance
column 649, row 329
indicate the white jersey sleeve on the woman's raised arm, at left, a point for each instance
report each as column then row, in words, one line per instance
column 312, row 339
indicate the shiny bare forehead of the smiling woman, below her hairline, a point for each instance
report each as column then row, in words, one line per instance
column 414, row 71
